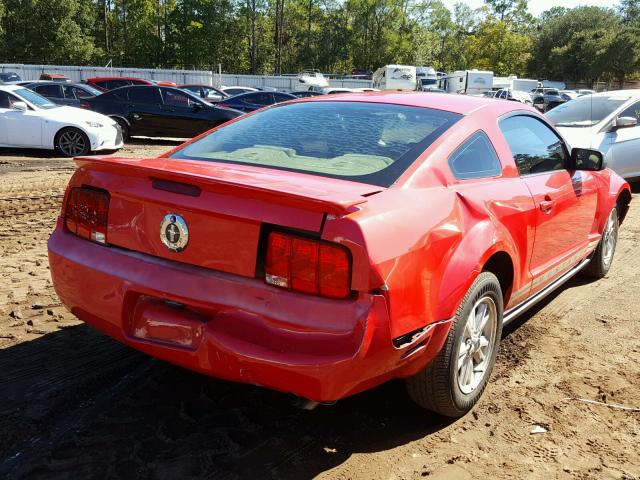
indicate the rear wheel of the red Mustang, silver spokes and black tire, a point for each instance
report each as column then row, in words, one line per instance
column 454, row 381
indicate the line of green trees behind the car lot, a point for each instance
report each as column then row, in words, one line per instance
column 336, row 36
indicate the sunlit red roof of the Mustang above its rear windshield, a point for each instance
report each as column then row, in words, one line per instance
column 462, row 104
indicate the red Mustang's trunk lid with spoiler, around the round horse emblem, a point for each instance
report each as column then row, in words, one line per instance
column 223, row 206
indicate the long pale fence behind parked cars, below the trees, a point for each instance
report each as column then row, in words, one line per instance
column 181, row 77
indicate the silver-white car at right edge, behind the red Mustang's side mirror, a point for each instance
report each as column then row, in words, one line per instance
column 607, row 122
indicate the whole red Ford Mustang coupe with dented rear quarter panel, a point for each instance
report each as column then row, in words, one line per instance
column 324, row 246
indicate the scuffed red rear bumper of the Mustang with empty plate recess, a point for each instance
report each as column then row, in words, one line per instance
column 234, row 327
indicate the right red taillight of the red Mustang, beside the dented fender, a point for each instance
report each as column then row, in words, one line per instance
column 307, row 265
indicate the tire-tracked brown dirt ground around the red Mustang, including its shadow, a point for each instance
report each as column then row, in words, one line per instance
column 75, row 404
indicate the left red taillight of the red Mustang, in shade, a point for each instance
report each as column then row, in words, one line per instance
column 86, row 213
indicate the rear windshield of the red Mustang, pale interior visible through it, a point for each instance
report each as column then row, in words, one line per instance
column 366, row 142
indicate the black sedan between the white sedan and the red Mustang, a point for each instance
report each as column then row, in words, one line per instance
column 154, row 111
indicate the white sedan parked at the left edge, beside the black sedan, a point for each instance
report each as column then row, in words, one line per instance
column 28, row 120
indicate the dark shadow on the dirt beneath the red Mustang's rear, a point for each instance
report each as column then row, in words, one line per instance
column 77, row 404
